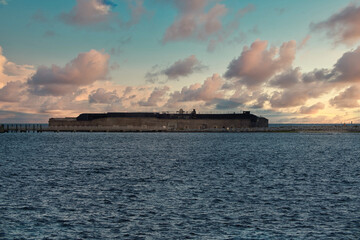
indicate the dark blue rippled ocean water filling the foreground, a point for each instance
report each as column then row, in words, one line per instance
column 179, row 186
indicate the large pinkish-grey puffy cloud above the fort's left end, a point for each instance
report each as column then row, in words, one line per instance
column 85, row 69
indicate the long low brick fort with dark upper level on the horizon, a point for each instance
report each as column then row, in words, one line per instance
column 150, row 121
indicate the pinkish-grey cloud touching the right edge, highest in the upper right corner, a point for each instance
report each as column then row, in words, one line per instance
column 343, row 26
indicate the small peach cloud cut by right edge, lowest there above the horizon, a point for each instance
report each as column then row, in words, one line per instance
column 348, row 98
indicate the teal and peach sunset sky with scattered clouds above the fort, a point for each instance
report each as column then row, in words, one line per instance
column 289, row 61
